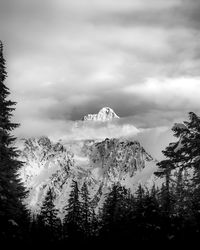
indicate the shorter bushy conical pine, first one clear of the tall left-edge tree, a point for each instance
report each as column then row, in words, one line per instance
column 49, row 217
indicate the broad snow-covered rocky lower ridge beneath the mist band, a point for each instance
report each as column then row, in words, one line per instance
column 98, row 164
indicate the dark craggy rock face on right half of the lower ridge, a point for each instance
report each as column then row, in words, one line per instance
column 117, row 158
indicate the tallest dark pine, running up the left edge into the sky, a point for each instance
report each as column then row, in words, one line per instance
column 11, row 190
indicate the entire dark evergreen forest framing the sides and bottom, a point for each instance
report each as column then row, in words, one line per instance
column 168, row 213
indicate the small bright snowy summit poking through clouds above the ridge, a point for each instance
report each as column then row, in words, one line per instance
column 105, row 114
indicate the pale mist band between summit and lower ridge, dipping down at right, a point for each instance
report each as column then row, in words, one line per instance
column 152, row 139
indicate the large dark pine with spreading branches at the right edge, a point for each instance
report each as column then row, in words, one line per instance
column 183, row 161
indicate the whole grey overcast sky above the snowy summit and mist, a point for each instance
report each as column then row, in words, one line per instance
column 67, row 58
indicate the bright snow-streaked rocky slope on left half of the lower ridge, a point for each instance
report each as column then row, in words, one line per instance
column 45, row 164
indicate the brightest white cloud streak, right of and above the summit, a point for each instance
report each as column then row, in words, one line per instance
column 175, row 93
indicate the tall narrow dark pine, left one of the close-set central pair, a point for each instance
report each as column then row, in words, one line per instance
column 73, row 220
